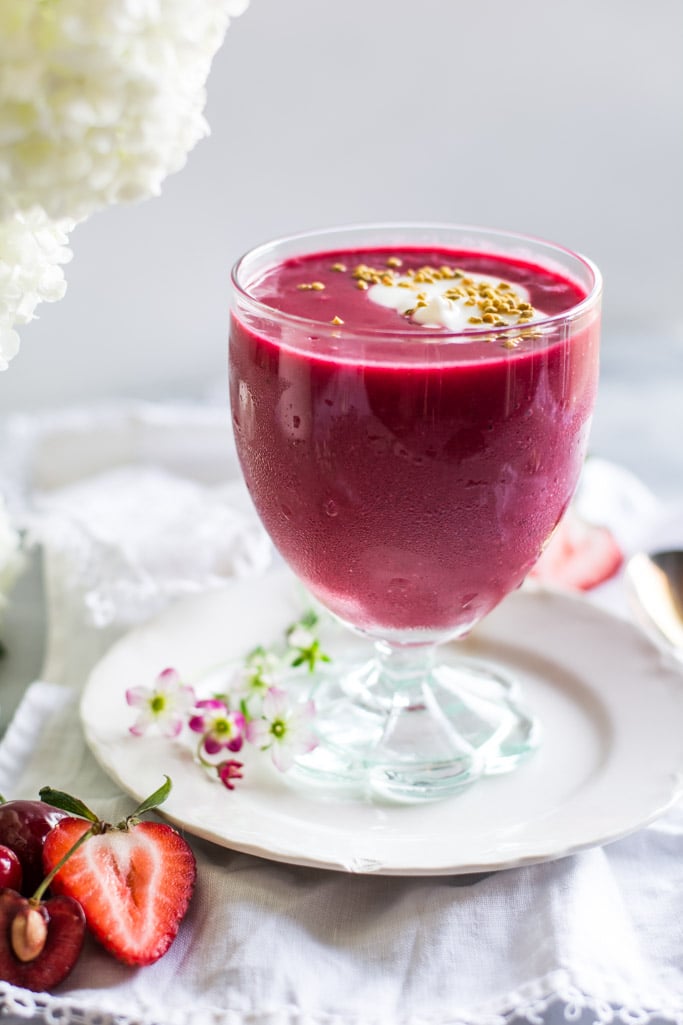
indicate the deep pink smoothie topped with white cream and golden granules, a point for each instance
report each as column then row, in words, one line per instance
column 413, row 486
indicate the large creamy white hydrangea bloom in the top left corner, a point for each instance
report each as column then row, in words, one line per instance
column 101, row 100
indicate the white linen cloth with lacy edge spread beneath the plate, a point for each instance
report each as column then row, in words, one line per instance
column 600, row 933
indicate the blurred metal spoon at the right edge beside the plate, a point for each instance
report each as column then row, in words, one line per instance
column 655, row 589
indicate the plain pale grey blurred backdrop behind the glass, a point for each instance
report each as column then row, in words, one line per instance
column 560, row 119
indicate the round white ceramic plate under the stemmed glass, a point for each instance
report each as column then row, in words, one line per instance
column 612, row 759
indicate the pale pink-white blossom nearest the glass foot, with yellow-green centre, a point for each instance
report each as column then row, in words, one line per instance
column 286, row 728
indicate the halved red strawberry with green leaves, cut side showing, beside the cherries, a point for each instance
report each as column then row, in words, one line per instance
column 134, row 880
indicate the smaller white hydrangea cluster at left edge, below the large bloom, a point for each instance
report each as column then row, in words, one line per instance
column 32, row 252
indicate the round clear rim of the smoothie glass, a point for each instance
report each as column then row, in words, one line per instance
column 415, row 333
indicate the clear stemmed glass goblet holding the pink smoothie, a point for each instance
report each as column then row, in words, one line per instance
column 411, row 478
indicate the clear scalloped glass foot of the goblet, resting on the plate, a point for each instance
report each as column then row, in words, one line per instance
column 422, row 741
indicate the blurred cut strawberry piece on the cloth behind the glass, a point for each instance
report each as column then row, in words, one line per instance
column 579, row 557
